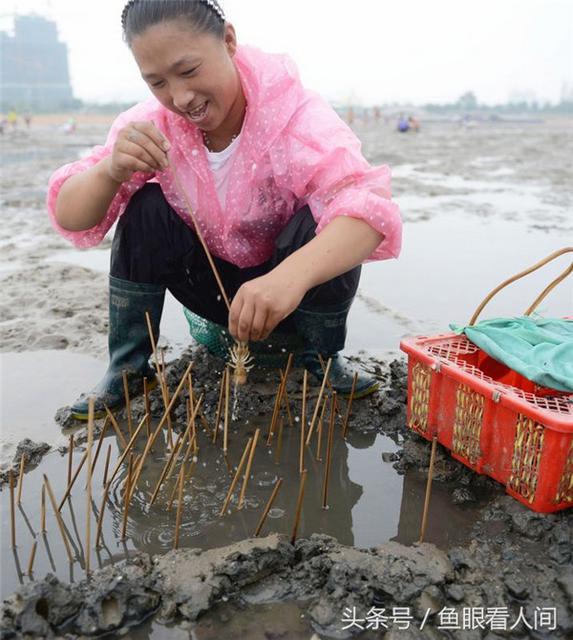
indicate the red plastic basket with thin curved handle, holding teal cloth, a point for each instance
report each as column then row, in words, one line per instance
column 490, row 417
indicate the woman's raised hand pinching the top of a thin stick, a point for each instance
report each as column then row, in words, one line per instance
column 139, row 147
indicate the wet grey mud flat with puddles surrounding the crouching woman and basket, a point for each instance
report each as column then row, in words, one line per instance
column 501, row 186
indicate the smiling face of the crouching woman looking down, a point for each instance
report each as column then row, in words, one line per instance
column 190, row 73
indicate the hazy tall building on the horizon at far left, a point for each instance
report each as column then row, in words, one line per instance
column 34, row 67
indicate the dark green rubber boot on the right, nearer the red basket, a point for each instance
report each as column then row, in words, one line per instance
column 324, row 333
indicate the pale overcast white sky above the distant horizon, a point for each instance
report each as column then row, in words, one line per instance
column 366, row 51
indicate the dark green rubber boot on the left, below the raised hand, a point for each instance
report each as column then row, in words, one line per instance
column 129, row 345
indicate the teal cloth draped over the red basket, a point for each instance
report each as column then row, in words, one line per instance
column 540, row 349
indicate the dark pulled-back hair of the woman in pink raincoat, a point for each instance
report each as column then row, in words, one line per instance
column 205, row 16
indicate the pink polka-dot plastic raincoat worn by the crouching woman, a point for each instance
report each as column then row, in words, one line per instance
column 294, row 150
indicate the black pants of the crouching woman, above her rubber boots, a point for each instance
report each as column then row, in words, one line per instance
column 153, row 245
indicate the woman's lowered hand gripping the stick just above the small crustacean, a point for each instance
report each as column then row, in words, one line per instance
column 262, row 303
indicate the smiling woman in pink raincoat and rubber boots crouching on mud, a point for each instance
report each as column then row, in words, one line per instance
column 287, row 204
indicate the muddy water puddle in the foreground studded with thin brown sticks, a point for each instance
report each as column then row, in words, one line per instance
column 368, row 502
